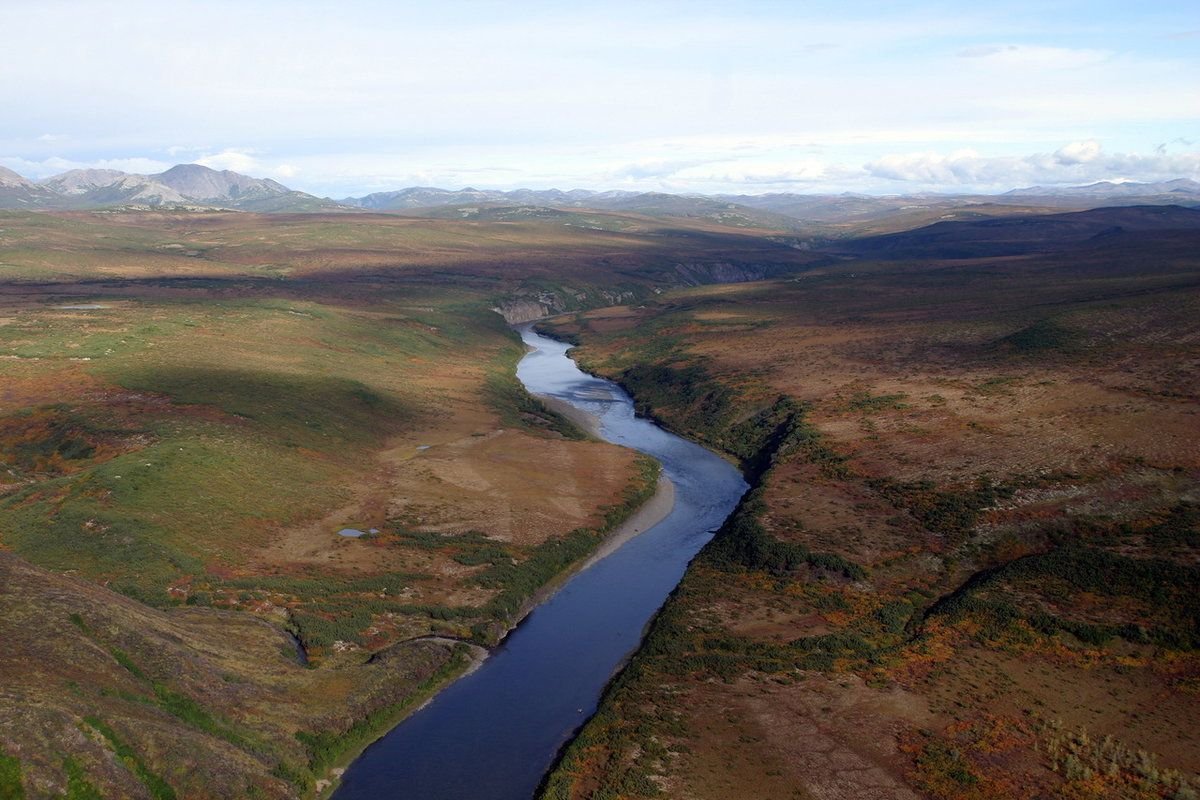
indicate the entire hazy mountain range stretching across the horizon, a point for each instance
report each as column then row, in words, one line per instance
column 194, row 185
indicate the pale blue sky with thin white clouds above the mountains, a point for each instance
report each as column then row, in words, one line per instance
column 344, row 99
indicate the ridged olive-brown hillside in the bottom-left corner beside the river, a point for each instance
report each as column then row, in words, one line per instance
column 107, row 697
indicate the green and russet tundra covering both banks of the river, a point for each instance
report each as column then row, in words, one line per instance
column 973, row 532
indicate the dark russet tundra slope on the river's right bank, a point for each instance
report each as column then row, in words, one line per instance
column 975, row 536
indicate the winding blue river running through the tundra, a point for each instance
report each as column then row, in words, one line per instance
column 494, row 735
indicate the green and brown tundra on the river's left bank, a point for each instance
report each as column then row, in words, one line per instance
column 195, row 404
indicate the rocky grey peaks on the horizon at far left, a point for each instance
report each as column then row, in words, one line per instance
column 181, row 185
